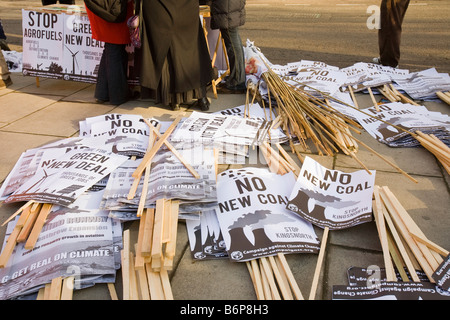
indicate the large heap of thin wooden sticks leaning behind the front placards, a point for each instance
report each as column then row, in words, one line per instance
column 312, row 119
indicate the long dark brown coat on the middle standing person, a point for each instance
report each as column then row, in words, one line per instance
column 172, row 29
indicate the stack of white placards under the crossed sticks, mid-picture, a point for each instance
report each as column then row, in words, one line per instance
column 169, row 179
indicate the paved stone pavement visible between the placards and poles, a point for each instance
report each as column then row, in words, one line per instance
column 31, row 116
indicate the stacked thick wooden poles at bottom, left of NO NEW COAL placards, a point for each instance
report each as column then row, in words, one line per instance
column 145, row 269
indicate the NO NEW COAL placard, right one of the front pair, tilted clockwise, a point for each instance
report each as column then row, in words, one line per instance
column 331, row 198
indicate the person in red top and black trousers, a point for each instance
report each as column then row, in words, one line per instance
column 111, row 28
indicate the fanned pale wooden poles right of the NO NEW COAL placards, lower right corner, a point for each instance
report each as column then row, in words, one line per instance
column 404, row 244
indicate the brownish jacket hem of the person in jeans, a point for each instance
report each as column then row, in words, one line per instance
column 226, row 14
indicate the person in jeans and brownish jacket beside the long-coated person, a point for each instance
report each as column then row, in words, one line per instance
column 228, row 16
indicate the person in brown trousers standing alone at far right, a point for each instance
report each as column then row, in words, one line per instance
column 392, row 13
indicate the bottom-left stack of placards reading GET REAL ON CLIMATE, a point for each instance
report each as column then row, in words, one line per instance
column 82, row 243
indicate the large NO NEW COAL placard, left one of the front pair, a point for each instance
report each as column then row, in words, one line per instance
column 253, row 216
